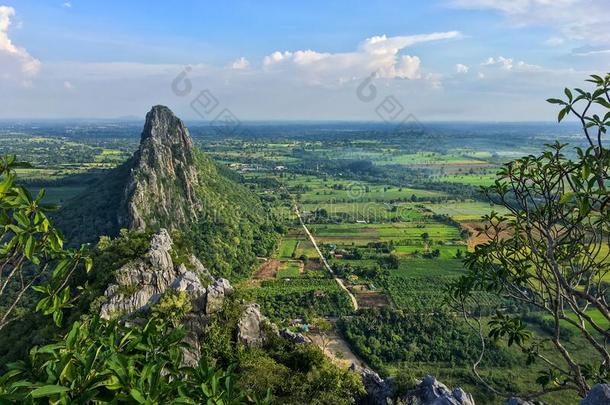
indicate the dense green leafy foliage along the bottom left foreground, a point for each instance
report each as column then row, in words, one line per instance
column 101, row 361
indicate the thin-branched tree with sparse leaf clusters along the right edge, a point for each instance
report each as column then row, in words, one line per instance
column 549, row 252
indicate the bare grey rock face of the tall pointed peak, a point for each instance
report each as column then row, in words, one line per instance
column 161, row 187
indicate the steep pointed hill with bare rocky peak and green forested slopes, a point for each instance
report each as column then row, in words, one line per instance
column 169, row 183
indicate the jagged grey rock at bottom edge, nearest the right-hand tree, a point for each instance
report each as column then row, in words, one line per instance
column 430, row 391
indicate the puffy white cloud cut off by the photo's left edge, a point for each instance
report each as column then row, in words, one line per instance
column 16, row 62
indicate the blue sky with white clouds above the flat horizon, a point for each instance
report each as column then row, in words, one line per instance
column 441, row 60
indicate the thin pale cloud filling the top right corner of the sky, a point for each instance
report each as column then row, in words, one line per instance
column 575, row 19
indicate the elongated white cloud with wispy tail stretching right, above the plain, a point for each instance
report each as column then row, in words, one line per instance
column 380, row 55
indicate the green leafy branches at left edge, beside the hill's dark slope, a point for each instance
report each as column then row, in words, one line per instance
column 31, row 250
